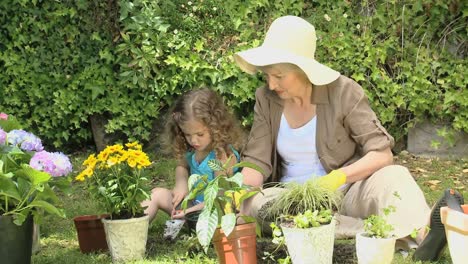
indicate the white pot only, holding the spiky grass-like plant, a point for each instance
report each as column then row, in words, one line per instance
column 310, row 245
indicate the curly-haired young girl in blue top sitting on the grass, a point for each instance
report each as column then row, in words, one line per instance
column 199, row 128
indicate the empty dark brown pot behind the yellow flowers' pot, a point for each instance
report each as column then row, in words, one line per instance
column 91, row 235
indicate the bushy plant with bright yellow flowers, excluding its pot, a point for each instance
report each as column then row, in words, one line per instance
column 115, row 177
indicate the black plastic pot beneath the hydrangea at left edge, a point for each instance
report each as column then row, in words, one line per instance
column 15, row 241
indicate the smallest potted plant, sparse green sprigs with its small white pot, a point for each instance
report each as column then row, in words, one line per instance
column 377, row 243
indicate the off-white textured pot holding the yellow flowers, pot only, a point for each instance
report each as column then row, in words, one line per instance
column 126, row 238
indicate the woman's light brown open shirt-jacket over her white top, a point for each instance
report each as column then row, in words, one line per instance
column 347, row 128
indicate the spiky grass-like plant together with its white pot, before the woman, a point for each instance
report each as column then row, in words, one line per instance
column 305, row 215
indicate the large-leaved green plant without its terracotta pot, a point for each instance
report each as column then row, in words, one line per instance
column 222, row 196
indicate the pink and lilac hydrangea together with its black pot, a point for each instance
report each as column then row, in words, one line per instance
column 29, row 176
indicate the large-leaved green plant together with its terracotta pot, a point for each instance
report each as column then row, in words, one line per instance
column 217, row 221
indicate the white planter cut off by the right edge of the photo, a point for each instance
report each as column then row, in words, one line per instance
column 456, row 230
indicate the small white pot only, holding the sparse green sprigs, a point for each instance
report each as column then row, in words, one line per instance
column 374, row 250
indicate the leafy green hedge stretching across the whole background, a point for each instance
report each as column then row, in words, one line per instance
column 63, row 61
